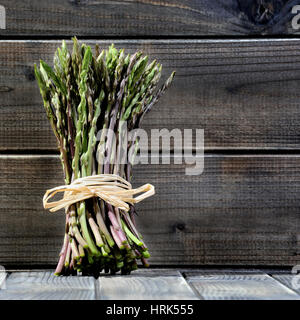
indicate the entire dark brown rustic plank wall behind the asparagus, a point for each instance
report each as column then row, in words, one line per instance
column 238, row 77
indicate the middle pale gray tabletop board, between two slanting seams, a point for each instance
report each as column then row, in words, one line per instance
column 145, row 286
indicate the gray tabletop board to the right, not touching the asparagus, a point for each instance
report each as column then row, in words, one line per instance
column 239, row 286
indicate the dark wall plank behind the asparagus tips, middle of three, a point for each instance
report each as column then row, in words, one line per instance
column 244, row 94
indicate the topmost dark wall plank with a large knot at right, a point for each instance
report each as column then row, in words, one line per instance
column 148, row 17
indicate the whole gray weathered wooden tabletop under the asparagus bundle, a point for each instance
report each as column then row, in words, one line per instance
column 154, row 284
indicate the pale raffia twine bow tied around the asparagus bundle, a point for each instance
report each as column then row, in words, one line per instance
column 109, row 187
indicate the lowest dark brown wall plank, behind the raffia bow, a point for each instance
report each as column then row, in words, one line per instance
column 243, row 210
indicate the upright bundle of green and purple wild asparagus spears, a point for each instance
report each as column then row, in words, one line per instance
column 82, row 95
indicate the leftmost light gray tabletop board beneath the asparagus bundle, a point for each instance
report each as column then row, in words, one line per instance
column 45, row 286
